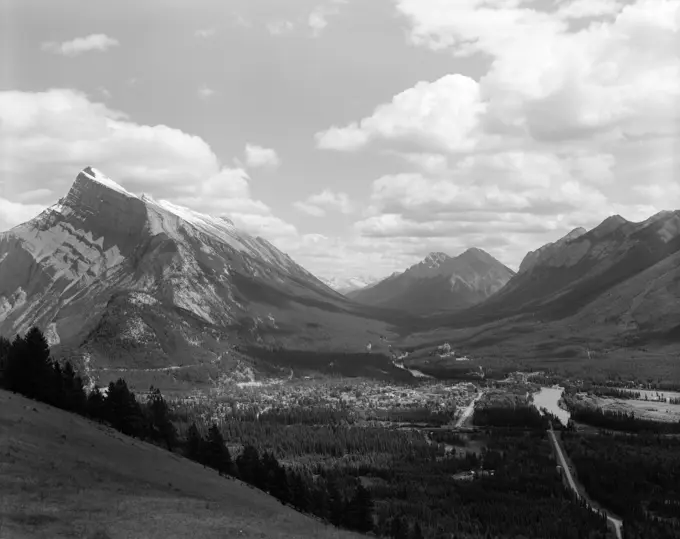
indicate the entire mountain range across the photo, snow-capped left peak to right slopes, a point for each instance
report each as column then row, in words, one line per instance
column 126, row 283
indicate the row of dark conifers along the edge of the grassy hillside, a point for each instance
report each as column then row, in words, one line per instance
column 26, row 367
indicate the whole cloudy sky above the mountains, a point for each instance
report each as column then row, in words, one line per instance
column 355, row 135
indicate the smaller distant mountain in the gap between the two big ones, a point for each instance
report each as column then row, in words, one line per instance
column 439, row 282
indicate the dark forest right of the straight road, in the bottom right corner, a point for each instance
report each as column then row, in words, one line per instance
column 635, row 476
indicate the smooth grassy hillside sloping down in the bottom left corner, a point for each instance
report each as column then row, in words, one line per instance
column 64, row 476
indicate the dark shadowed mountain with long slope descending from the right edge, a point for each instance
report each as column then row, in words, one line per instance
column 617, row 284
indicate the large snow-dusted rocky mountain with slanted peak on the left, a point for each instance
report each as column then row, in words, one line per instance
column 129, row 282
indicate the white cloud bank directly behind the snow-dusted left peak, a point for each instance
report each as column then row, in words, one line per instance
column 49, row 136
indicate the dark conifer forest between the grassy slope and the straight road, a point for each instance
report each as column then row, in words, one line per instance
column 395, row 483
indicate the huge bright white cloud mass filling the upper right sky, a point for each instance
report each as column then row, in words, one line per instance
column 569, row 124
